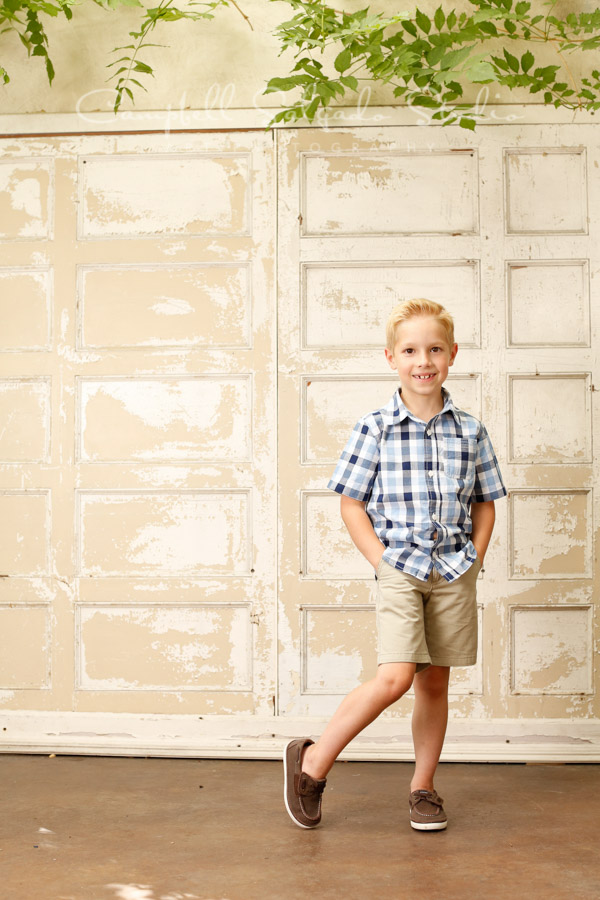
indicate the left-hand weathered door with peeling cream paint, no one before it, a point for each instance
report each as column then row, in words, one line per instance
column 137, row 447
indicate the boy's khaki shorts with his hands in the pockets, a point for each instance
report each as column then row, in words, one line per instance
column 431, row 622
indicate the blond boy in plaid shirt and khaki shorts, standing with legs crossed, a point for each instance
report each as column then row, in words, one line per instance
column 418, row 480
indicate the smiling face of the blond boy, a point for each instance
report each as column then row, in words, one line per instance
column 421, row 356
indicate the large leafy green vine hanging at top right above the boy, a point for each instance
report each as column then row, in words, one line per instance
column 428, row 60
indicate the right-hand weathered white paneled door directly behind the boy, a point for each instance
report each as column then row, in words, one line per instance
column 502, row 227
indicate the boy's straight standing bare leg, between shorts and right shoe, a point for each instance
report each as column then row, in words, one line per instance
column 430, row 717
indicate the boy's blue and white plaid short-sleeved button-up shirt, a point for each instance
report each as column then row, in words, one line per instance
column 418, row 480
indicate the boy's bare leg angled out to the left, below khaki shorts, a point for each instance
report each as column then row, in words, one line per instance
column 356, row 711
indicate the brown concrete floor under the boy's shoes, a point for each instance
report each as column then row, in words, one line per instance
column 90, row 828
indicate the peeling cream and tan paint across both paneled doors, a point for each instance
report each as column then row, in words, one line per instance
column 156, row 338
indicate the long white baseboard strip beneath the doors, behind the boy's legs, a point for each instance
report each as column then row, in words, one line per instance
column 245, row 737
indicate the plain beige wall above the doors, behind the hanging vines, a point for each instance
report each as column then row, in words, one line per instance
column 216, row 65
